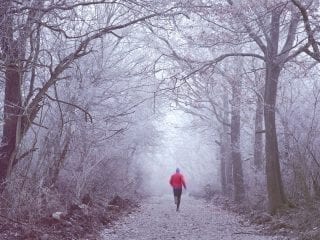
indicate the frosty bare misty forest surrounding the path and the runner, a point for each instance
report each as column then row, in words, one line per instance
column 101, row 100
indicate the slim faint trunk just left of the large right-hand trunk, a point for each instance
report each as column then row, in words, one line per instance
column 258, row 136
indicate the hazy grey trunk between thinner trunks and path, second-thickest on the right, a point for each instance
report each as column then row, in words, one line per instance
column 239, row 191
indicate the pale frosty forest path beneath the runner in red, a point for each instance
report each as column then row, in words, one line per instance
column 196, row 220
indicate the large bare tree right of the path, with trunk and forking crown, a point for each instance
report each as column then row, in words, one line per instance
column 273, row 22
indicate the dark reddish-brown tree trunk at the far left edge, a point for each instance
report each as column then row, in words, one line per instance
column 12, row 97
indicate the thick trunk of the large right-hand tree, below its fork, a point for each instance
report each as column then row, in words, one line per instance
column 276, row 194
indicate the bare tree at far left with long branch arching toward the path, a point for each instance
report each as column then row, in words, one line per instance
column 18, row 40
